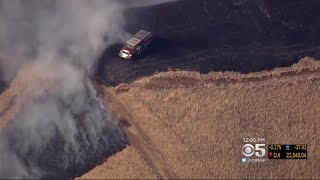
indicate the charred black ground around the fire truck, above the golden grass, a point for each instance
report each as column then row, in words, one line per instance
column 216, row 35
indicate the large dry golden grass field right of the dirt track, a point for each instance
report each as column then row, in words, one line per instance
column 200, row 129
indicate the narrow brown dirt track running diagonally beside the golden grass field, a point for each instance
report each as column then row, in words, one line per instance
column 140, row 140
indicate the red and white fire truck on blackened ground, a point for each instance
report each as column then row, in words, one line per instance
column 136, row 45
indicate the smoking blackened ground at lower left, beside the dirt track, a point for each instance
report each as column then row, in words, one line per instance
column 56, row 148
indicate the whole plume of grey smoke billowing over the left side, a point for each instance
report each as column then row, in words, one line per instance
column 57, row 42
